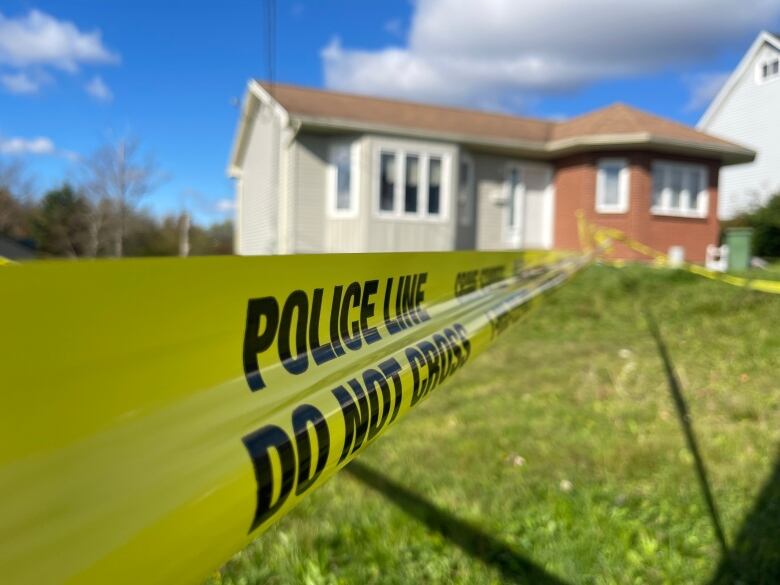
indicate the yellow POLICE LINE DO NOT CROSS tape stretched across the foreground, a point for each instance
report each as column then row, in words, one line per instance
column 158, row 414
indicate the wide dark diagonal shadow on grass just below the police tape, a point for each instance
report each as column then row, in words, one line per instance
column 513, row 566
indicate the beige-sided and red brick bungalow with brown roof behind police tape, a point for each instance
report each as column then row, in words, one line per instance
column 319, row 171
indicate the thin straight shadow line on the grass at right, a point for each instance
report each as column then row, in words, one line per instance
column 675, row 389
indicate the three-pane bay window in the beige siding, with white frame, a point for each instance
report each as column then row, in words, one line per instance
column 410, row 185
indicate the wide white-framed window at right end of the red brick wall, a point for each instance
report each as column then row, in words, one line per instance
column 679, row 189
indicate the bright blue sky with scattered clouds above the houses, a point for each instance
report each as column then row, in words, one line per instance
column 78, row 73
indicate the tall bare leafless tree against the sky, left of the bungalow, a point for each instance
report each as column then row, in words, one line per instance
column 116, row 179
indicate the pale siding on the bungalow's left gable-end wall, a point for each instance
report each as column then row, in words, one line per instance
column 258, row 188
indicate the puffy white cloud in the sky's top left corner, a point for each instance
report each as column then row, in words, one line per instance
column 40, row 39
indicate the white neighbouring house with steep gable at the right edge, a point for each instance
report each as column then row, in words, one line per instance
column 747, row 110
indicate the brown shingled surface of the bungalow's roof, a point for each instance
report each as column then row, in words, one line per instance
column 618, row 122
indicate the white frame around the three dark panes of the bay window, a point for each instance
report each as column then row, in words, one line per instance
column 424, row 155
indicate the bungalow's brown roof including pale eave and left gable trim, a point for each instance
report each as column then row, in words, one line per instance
column 617, row 126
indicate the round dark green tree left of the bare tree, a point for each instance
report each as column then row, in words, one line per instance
column 61, row 224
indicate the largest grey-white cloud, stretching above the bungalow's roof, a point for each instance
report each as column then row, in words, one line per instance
column 491, row 51
